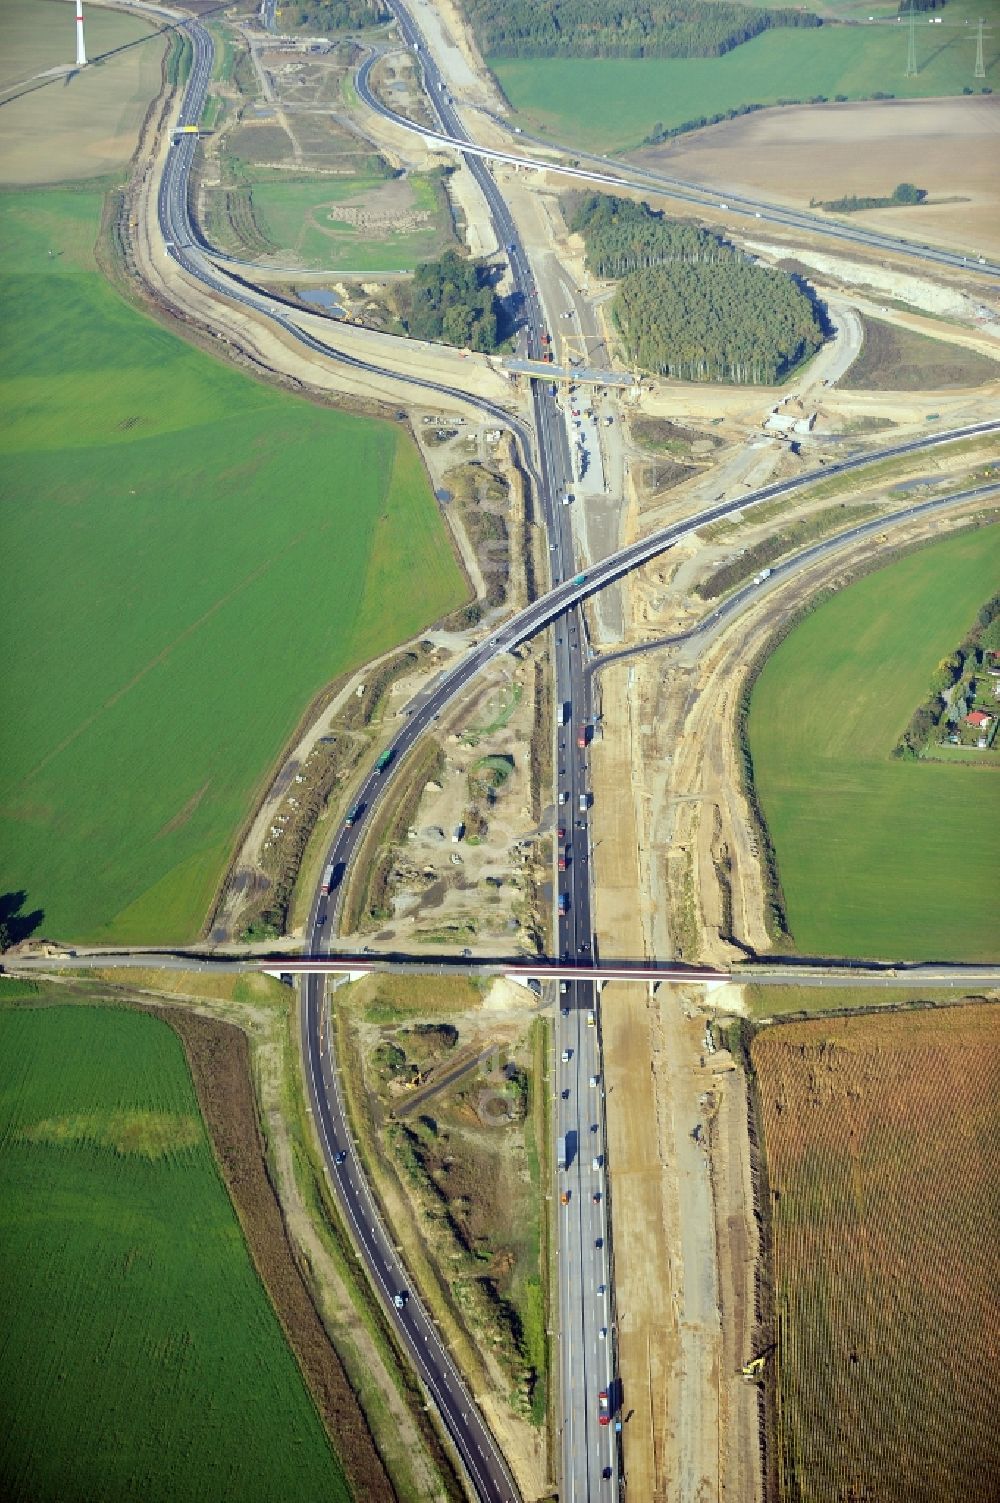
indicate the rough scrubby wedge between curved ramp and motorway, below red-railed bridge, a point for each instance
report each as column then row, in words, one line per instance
column 450, row 1203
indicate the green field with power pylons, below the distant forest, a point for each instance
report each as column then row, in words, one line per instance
column 611, row 104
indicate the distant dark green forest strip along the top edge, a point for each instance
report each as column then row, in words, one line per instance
column 622, row 28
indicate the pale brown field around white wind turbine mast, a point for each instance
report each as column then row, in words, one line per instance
column 80, row 126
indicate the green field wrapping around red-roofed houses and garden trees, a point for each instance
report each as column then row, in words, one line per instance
column 879, row 857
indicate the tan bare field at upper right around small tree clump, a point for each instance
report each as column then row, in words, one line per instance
column 945, row 147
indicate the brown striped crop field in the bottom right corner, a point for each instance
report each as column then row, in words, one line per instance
column 882, row 1139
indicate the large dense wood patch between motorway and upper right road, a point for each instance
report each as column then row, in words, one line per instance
column 689, row 304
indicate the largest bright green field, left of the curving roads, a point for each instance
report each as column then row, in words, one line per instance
column 190, row 557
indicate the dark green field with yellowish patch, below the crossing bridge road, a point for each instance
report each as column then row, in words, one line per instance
column 142, row 1358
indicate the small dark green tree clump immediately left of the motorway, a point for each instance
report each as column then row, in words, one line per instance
column 452, row 301
